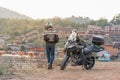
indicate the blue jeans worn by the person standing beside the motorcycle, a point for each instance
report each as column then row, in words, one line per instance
column 50, row 50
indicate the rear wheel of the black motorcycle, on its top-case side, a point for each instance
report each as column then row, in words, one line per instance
column 90, row 63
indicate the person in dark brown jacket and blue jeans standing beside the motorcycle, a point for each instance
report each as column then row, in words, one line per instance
column 51, row 38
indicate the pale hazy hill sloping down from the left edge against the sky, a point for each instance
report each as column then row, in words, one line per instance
column 6, row 13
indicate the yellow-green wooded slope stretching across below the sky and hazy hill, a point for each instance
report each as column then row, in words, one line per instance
column 21, row 27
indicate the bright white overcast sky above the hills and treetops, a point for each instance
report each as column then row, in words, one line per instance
column 44, row 9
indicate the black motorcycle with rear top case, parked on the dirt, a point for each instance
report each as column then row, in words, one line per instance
column 81, row 53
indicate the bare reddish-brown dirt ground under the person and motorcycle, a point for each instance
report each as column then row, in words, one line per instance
column 101, row 71
